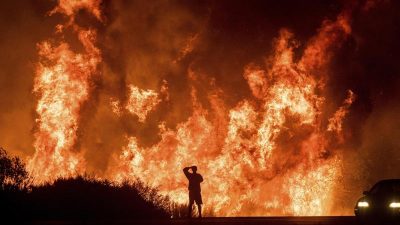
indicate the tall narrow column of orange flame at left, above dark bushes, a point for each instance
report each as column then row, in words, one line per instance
column 62, row 84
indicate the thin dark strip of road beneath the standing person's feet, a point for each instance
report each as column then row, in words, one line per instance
column 342, row 220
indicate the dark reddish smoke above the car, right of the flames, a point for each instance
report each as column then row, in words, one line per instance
column 367, row 65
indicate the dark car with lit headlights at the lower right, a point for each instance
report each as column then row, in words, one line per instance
column 381, row 203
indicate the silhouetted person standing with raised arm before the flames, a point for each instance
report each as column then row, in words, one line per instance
column 194, row 188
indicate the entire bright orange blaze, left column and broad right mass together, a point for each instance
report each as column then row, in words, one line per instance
column 271, row 154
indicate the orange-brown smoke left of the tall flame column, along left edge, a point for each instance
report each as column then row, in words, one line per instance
column 22, row 25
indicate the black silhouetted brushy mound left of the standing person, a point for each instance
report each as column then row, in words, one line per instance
column 75, row 198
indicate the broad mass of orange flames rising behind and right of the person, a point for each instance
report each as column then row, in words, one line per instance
column 270, row 157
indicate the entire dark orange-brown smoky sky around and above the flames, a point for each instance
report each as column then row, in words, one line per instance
column 142, row 43
